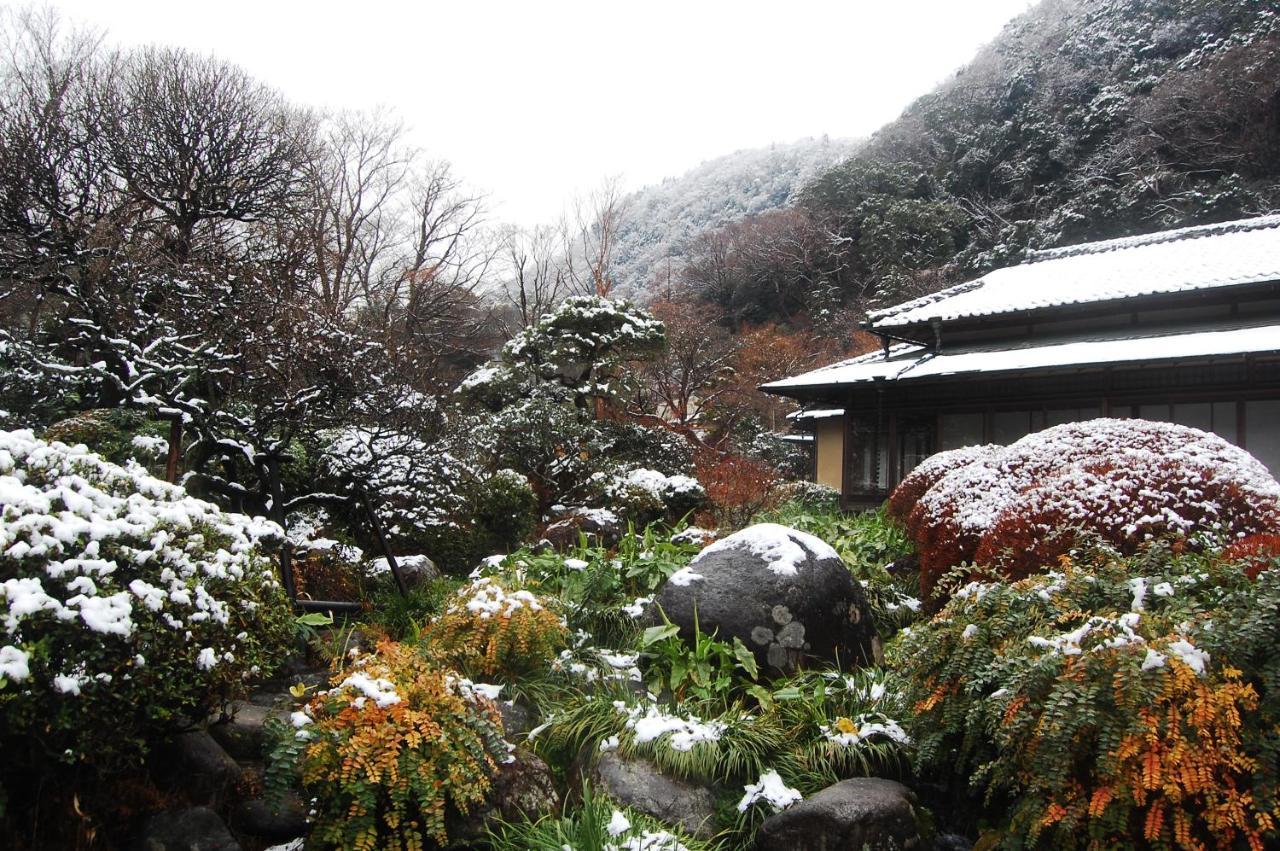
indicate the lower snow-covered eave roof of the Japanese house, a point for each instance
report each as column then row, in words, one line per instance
column 1080, row 353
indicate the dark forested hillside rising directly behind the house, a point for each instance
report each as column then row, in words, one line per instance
column 1085, row 120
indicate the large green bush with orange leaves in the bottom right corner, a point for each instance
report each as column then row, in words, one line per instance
column 1104, row 703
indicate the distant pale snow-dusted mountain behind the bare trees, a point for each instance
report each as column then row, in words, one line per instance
column 662, row 219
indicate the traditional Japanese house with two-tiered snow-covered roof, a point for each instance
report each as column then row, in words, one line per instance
column 1181, row 326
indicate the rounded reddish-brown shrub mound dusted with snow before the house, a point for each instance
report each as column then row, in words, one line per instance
column 1126, row 482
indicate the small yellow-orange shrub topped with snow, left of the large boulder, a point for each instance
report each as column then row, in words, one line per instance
column 488, row 630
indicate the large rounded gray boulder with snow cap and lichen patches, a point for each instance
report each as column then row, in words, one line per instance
column 787, row 594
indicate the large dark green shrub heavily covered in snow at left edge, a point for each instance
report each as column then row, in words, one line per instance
column 126, row 605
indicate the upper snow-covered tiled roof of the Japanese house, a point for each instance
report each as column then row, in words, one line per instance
column 1171, row 262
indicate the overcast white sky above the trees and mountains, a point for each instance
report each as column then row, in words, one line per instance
column 534, row 102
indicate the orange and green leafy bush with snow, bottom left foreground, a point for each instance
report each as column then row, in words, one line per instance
column 394, row 747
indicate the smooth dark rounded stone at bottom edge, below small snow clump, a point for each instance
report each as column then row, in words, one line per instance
column 865, row 812
